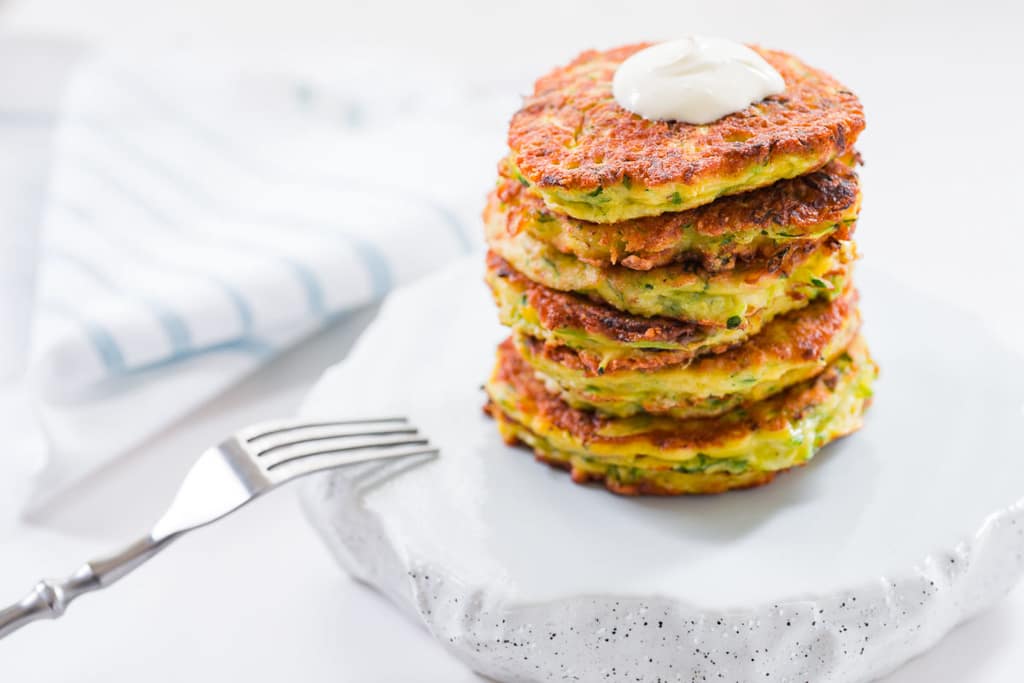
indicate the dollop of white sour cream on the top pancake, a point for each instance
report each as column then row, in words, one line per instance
column 698, row 80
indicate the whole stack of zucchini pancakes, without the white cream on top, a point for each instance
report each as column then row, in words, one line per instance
column 680, row 296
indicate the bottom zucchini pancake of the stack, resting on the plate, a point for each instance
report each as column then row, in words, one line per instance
column 648, row 454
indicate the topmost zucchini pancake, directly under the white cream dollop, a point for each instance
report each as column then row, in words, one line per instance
column 589, row 158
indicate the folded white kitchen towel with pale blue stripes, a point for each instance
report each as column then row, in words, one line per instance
column 202, row 218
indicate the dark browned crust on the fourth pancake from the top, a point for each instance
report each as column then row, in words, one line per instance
column 563, row 310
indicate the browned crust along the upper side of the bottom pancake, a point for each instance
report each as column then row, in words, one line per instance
column 696, row 434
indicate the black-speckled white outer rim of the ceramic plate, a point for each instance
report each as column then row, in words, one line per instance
column 856, row 634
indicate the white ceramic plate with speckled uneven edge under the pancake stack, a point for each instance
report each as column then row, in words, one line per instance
column 839, row 572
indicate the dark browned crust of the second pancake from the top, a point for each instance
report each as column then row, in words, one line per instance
column 827, row 196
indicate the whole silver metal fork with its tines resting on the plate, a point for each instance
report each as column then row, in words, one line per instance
column 247, row 465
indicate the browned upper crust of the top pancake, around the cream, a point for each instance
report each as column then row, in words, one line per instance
column 571, row 134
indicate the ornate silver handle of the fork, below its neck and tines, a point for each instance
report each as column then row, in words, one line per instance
column 50, row 599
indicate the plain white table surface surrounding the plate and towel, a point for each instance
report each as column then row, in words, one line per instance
column 257, row 597
